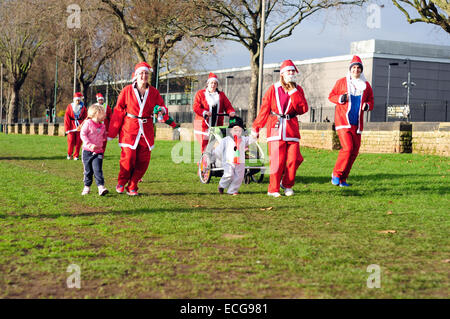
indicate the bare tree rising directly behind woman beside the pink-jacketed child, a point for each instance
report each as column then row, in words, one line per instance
column 152, row 28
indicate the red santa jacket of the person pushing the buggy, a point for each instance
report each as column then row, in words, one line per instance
column 201, row 106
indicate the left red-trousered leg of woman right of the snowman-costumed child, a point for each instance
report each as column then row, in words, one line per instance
column 277, row 156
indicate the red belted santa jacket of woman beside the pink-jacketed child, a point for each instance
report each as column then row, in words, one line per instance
column 132, row 118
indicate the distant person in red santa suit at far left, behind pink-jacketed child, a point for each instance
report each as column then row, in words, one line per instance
column 75, row 114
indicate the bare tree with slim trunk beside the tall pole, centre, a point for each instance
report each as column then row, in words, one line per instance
column 240, row 21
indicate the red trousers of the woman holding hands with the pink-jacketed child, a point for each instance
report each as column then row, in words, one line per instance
column 133, row 164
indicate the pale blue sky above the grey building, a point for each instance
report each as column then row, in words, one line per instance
column 330, row 33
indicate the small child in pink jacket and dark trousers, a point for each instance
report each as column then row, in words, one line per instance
column 93, row 134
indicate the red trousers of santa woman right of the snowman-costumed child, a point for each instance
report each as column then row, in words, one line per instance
column 285, row 158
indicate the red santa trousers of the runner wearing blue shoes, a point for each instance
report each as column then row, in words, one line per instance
column 350, row 143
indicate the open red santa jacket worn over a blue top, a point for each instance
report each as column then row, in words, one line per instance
column 341, row 112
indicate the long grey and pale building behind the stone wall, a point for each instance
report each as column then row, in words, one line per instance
column 384, row 61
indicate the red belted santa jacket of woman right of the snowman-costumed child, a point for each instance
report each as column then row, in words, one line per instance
column 288, row 129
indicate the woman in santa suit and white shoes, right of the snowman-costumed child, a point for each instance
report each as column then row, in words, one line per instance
column 279, row 109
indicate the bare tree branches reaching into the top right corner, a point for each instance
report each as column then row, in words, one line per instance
column 435, row 12
